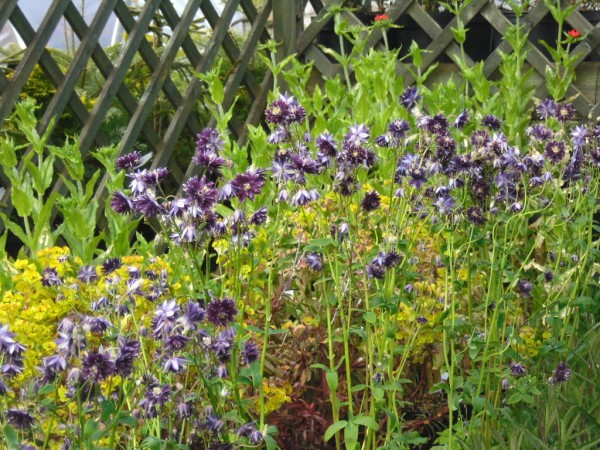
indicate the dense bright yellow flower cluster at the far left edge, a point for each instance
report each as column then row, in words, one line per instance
column 33, row 310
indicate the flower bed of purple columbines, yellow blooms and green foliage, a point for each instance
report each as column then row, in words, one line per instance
column 396, row 266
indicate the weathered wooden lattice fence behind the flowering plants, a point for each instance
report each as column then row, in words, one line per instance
column 282, row 20
